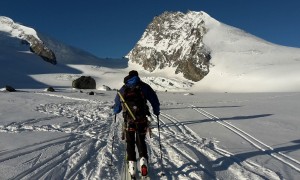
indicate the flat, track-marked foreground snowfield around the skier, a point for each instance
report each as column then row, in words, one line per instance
column 68, row 134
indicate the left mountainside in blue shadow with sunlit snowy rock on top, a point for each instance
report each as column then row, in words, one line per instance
column 21, row 67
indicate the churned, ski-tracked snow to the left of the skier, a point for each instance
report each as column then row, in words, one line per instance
column 82, row 152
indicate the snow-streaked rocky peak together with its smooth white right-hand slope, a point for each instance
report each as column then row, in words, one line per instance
column 201, row 48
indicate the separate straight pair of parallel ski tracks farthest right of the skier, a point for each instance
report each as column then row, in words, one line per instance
column 289, row 161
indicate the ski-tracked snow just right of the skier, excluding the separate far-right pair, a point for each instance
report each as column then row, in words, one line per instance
column 202, row 157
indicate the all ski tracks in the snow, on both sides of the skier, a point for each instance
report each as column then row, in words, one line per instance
column 84, row 150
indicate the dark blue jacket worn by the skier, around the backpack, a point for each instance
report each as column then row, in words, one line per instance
column 147, row 91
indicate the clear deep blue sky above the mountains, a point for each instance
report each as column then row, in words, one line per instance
column 110, row 28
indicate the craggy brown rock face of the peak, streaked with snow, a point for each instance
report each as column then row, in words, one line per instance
column 174, row 40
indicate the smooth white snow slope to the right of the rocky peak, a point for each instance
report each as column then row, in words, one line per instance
column 242, row 62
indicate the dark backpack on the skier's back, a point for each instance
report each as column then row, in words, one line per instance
column 136, row 102
